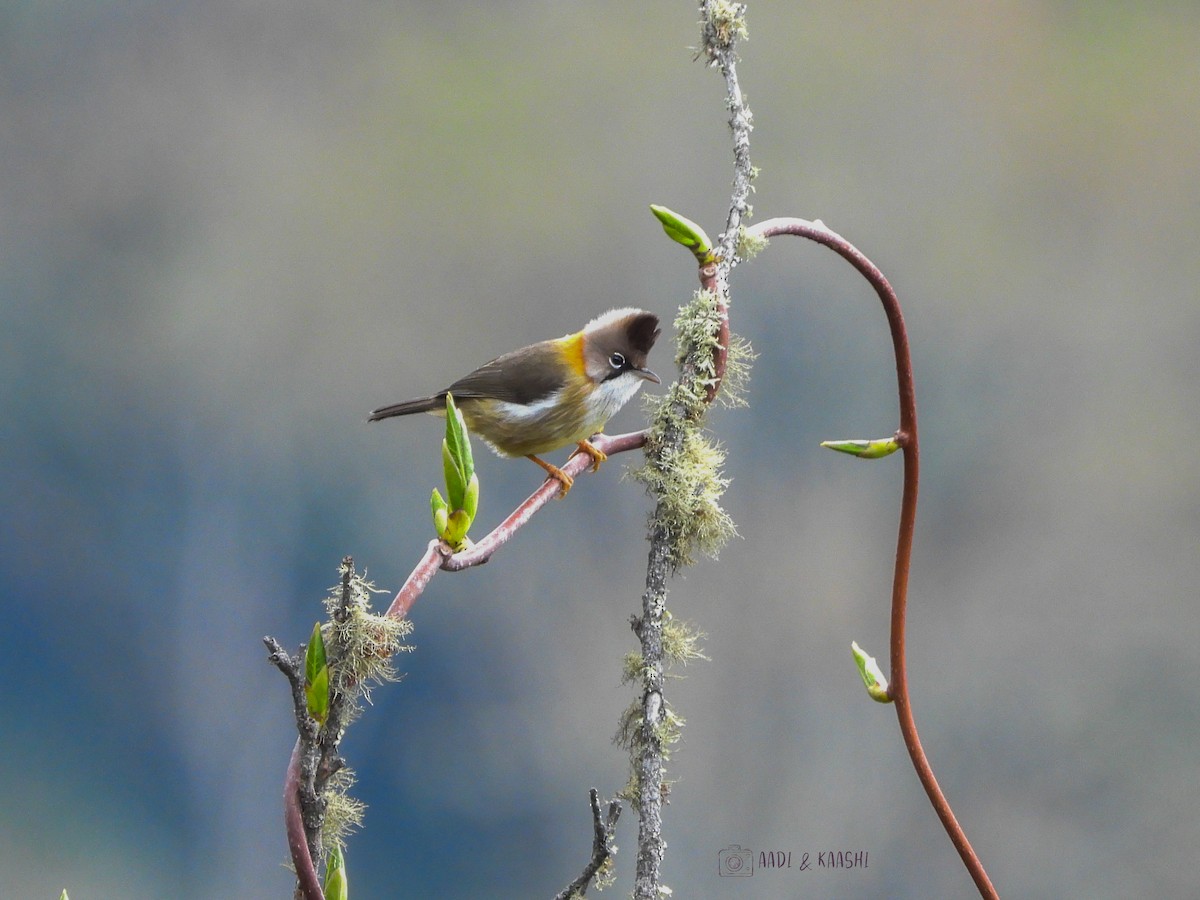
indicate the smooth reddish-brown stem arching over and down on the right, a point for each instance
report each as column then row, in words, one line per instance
column 907, row 436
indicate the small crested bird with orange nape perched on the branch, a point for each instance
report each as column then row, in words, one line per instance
column 554, row 393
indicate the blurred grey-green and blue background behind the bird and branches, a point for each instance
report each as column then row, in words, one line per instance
column 231, row 230
